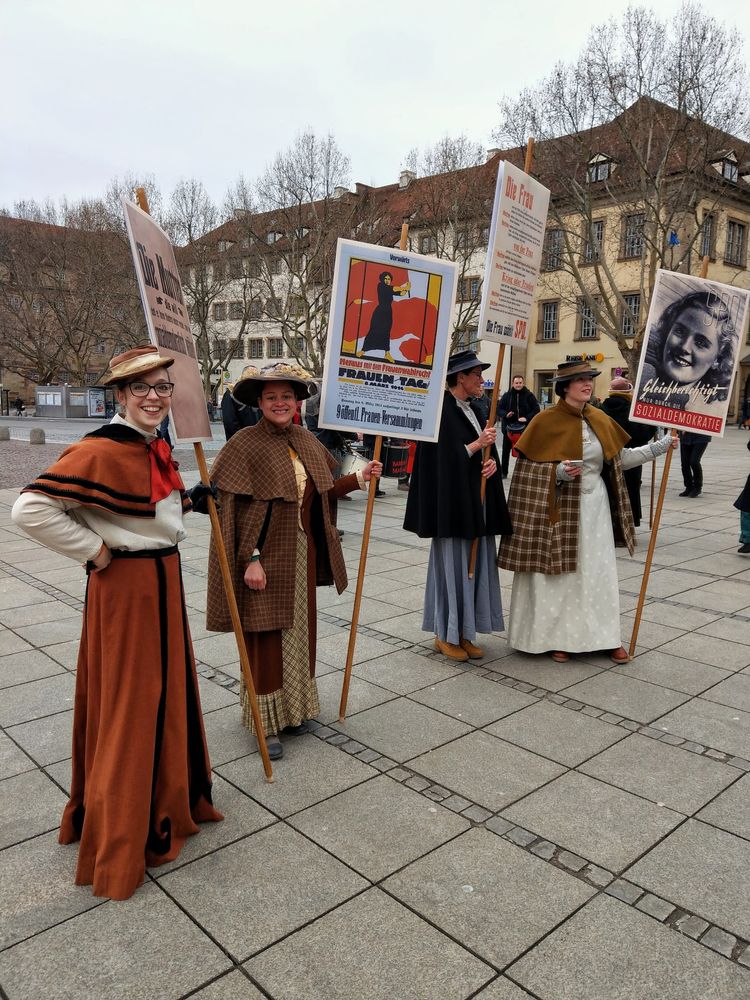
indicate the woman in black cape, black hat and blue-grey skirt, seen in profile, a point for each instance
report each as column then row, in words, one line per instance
column 444, row 504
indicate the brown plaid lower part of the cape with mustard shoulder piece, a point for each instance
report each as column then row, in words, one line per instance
column 545, row 518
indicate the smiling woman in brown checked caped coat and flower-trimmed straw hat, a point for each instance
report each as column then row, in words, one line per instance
column 277, row 506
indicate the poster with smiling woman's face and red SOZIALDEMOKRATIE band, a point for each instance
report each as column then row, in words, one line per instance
column 690, row 351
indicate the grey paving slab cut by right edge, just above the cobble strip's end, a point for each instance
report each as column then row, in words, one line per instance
column 703, row 870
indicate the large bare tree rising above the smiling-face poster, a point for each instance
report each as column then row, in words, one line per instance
column 629, row 140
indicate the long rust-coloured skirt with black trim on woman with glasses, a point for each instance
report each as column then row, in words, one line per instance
column 141, row 776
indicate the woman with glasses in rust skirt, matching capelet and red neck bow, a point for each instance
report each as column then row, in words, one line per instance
column 141, row 778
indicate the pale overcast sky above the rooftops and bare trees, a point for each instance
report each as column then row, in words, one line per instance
column 93, row 89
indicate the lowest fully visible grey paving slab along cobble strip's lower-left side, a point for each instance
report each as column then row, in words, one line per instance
column 489, row 894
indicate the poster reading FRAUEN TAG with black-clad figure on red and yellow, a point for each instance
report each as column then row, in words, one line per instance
column 388, row 342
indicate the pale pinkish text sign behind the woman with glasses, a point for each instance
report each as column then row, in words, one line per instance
column 168, row 321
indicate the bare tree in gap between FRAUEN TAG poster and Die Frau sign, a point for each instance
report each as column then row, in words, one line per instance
column 452, row 204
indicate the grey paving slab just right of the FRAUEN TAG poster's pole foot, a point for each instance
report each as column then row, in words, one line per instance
column 402, row 729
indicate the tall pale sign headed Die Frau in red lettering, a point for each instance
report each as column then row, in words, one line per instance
column 514, row 257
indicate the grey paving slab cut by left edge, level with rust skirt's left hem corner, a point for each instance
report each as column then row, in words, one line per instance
column 29, row 804
